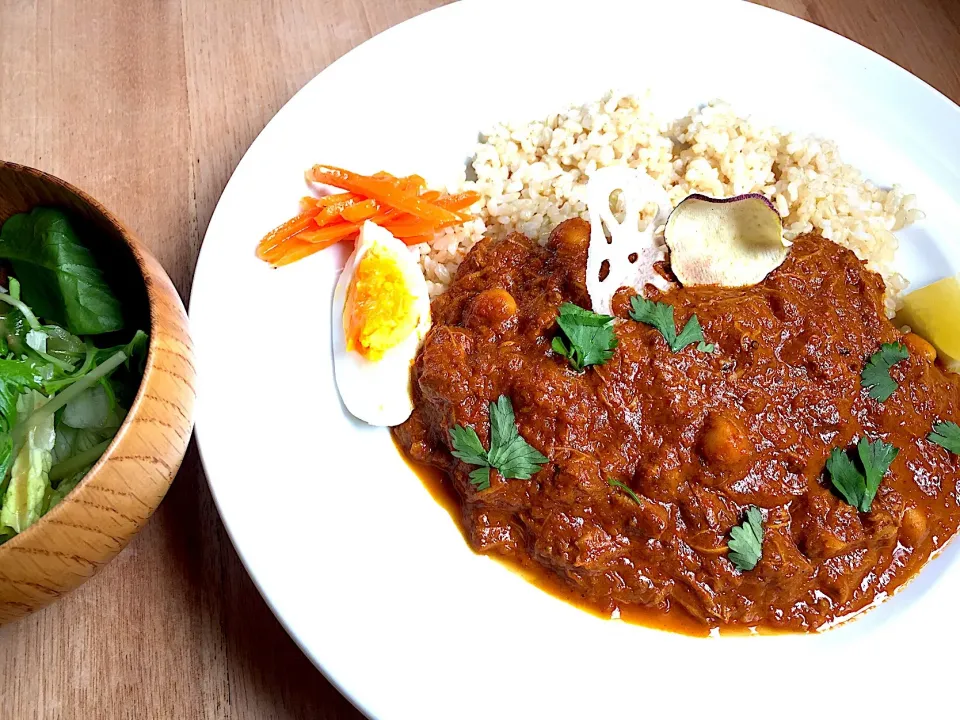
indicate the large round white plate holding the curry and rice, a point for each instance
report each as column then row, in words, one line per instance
column 368, row 574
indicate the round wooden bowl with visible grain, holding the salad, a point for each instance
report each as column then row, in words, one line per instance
column 95, row 521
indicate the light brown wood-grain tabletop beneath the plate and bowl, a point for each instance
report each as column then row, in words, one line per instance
column 149, row 106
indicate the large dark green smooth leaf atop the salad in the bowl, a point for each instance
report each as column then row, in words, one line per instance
column 59, row 277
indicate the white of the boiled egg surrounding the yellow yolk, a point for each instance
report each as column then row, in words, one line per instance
column 379, row 392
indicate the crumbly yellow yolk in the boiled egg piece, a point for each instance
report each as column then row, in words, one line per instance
column 379, row 312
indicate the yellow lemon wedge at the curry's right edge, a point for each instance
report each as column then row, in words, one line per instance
column 933, row 312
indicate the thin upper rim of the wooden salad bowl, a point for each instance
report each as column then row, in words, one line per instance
column 134, row 245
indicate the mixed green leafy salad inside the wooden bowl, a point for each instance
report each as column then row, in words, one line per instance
column 65, row 383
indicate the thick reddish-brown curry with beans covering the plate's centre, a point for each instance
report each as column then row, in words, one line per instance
column 698, row 437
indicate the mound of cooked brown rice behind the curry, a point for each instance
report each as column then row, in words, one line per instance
column 533, row 175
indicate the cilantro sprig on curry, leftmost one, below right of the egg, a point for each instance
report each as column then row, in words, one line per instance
column 512, row 456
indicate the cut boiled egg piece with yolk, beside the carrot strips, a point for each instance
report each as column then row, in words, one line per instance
column 381, row 313
